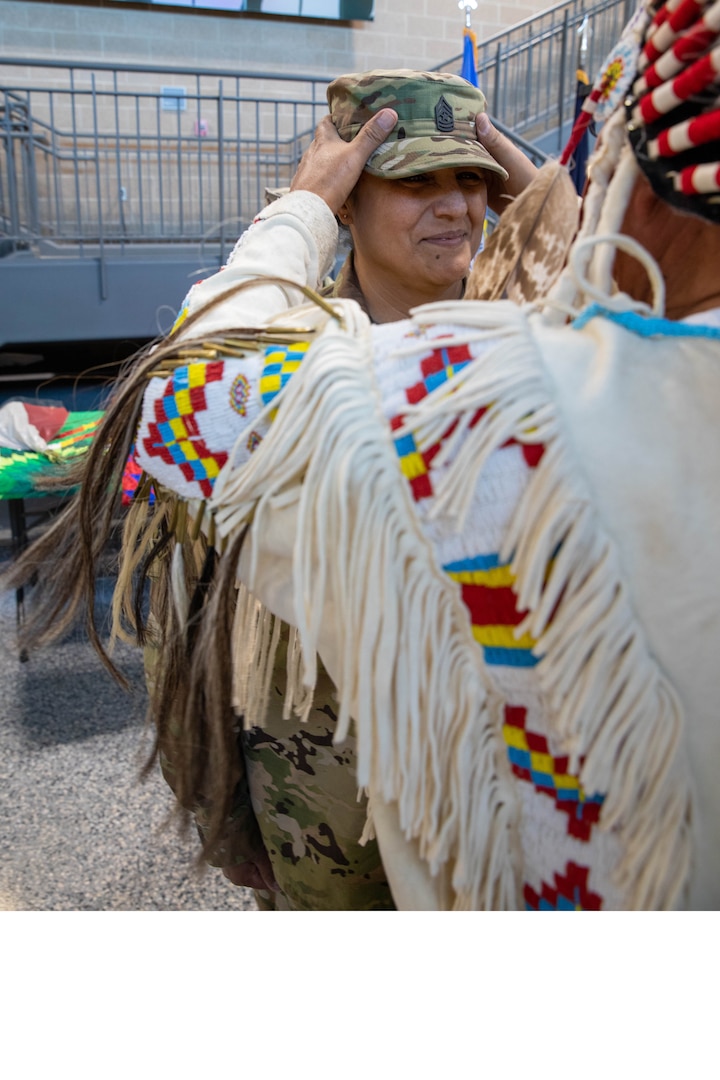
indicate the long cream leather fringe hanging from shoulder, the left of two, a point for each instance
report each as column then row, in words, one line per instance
column 427, row 733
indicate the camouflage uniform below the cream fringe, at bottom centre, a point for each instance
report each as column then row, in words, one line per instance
column 305, row 796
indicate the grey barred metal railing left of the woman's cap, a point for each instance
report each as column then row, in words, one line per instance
column 102, row 163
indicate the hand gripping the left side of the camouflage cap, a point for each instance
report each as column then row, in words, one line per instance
column 331, row 168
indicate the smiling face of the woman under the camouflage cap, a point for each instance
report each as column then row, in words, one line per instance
column 418, row 235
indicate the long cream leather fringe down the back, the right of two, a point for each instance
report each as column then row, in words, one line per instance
column 612, row 707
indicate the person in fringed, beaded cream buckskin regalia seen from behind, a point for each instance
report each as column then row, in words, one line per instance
column 492, row 522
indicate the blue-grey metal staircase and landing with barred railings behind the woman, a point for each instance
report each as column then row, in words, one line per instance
column 120, row 186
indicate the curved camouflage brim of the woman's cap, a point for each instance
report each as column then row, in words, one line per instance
column 411, row 157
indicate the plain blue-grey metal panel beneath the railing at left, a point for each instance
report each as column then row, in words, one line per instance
column 62, row 300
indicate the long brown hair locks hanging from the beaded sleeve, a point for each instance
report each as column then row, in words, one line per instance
column 196, row 731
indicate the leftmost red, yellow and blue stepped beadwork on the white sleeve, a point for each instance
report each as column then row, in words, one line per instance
column 175, row 437
